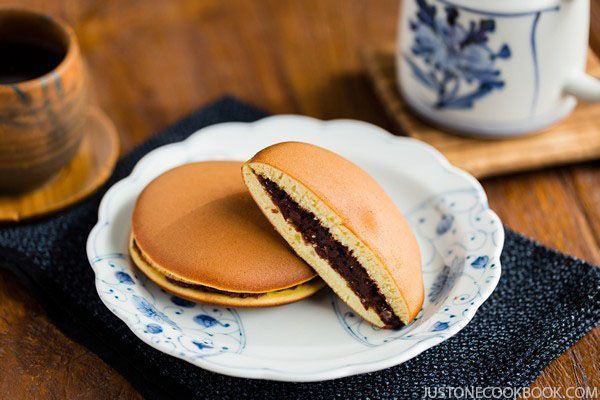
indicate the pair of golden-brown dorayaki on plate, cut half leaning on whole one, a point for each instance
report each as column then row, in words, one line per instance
column 199, row 231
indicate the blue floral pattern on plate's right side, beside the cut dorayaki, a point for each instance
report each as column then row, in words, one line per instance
column 456, row 235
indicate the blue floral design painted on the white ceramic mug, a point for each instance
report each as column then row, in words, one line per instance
column 456, row 60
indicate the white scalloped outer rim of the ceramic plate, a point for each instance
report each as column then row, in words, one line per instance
column 331, row 373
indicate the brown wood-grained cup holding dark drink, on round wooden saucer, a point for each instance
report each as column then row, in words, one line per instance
column 41, row 119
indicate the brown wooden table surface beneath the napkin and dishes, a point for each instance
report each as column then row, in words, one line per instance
column 154, row 61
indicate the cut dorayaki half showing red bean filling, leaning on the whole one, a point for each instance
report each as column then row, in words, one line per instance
column 339, row 220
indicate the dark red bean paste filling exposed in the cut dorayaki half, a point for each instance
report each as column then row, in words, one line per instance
column 339, row 257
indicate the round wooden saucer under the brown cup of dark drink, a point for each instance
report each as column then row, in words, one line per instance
column 90, row 168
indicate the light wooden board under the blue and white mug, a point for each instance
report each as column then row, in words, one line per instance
column 575, row 139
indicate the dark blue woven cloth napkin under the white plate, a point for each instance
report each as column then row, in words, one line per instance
column 545, row 301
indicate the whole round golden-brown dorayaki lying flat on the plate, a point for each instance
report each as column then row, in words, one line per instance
column 197, row 233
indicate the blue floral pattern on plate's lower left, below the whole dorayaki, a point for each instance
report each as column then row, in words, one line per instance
column 176, row 323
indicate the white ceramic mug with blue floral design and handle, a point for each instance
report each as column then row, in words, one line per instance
column 494, row 68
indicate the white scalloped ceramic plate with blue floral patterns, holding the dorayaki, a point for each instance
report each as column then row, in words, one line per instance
column 318, row 338
